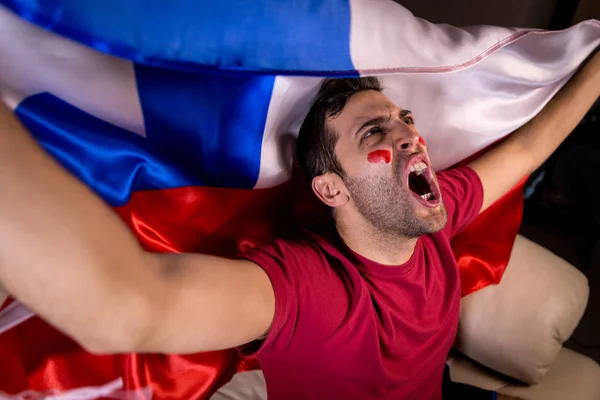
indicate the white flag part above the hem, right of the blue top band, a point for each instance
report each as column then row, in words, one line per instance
column 388, row 36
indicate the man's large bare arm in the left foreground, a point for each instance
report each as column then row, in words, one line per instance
column 68, row 257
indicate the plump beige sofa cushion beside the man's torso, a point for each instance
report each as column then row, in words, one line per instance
column 518, row 326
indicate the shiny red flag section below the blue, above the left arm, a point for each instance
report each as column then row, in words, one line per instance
column 208, row 220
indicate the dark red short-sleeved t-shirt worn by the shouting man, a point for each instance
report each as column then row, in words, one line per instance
column 348, row 328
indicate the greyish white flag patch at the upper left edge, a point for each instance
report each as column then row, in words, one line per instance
column 35, row 61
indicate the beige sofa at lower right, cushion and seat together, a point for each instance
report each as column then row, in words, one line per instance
column 510, row 335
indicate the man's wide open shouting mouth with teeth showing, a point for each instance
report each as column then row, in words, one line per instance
column 421, row 183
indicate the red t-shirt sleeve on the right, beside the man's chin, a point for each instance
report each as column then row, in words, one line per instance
column 462, row 193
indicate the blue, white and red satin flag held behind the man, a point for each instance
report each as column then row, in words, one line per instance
column 183, row 116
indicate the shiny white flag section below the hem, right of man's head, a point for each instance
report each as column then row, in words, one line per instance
column 462, row 112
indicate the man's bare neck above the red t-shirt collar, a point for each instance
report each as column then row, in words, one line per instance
column 382, row 248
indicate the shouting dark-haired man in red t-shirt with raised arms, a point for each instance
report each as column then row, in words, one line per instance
column 368, row 310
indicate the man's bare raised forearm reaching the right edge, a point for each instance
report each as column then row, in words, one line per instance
column 528, row 147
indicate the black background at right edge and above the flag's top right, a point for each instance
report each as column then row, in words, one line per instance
column 562, row 198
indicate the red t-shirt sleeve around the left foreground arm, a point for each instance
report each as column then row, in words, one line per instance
column 292, row 266
